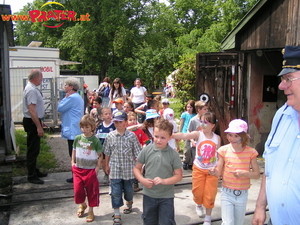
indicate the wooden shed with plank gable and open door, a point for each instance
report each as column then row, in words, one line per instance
column 242, row 80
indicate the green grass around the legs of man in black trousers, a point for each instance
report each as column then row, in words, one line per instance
column 45, row 161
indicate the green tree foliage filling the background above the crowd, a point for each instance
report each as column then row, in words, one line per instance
column 133, row 38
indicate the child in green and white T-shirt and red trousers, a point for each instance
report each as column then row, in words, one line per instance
column 86, row 162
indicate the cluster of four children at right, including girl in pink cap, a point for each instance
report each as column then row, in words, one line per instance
column 235, row 162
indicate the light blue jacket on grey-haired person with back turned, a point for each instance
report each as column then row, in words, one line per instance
column 71, row 109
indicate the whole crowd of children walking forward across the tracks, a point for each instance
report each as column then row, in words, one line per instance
column 128, row 151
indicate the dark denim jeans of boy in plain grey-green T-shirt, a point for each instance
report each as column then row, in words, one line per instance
column 158, row 211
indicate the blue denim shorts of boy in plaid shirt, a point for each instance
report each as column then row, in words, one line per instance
column 117, row 187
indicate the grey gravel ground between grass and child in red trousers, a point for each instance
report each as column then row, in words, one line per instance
column 59, row 147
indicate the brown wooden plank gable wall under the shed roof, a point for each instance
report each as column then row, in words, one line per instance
column 276, row 25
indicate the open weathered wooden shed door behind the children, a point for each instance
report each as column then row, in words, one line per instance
column 217, row 74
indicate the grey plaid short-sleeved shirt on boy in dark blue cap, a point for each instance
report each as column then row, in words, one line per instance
column 122, row 150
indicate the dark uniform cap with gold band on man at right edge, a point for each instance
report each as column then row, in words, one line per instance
column 291, row 60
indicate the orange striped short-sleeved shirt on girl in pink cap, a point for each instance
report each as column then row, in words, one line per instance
column 236, row 161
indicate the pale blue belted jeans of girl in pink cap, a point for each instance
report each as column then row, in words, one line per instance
column 233, row 206
